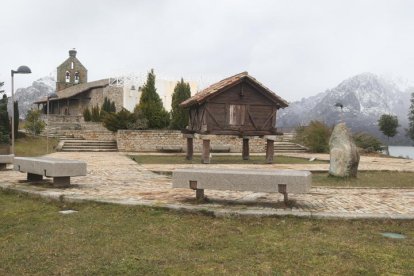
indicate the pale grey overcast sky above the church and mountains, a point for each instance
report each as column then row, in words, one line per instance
column 296, row 48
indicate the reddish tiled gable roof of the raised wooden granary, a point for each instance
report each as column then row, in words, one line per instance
column 222, row 85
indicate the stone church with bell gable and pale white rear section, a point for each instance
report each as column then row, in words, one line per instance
column 74, row 93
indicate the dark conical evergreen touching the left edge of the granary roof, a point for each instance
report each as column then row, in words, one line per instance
column 179, row 115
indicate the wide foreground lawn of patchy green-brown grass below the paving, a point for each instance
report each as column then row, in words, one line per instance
column 103, row 239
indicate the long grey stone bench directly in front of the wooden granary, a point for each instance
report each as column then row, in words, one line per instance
column 268, row 181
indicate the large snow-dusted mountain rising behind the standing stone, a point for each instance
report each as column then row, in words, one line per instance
column 364, row 97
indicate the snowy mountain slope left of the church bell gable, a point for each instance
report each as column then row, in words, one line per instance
column 26, row 96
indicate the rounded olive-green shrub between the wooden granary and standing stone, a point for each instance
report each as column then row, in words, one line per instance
column 315, row 136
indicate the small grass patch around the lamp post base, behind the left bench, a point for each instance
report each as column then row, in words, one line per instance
column 34, row 146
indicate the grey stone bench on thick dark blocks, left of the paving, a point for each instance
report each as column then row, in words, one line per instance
column 60, row 169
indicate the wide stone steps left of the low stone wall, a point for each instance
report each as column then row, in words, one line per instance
column 87, row 145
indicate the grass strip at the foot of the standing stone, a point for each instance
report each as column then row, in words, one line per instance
column 372, row 179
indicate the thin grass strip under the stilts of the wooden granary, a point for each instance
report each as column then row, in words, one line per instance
column 219, row 159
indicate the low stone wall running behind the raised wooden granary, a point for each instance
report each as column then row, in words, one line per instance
column 149, row 140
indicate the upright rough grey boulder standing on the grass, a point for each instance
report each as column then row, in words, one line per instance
column 344, row 154
